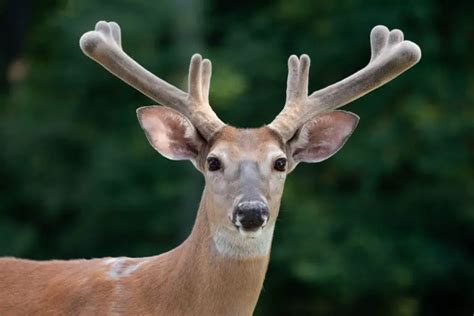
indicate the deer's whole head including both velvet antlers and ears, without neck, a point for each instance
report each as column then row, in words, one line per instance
column 245, row 169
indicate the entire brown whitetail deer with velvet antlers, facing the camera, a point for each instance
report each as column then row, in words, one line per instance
column 219, row 269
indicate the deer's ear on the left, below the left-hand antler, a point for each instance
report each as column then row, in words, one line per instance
column 170, row 133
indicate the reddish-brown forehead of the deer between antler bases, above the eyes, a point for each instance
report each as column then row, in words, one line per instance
column 246, row 142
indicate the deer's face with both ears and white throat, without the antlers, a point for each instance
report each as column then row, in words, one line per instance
column 245, row 169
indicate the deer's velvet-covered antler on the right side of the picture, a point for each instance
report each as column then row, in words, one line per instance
column 391, row 56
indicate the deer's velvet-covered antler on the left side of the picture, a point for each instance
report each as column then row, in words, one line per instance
column 104, row 46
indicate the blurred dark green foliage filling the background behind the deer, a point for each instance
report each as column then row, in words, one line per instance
column 383, row 228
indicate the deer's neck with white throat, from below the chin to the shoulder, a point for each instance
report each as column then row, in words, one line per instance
column 224, row 282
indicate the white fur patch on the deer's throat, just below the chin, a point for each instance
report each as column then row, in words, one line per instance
column 233, row 244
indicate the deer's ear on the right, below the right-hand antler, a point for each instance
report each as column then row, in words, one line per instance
column 322, row 136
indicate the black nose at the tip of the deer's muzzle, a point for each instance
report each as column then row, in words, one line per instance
column 251, row 215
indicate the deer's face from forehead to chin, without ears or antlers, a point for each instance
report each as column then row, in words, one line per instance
column 245, row 171
